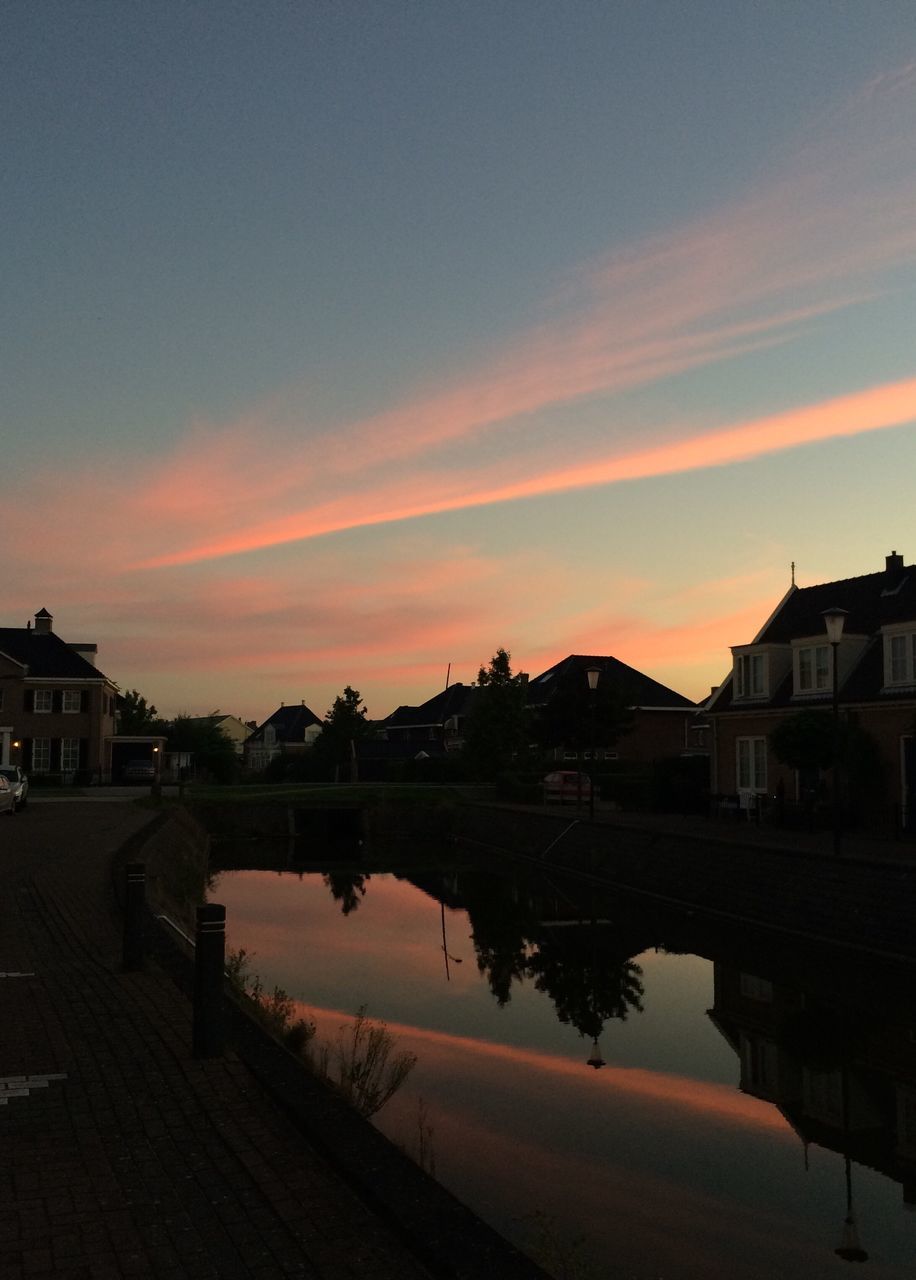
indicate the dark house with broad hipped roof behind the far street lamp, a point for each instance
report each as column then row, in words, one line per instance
column 663, row 724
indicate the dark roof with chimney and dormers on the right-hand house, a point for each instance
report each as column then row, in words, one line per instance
column 872, row 601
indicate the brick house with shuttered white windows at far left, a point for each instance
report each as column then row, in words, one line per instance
column 57, row 708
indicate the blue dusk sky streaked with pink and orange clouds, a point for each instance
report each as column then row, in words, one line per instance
column 345, row 344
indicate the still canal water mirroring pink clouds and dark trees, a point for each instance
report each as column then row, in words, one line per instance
column 739, row 1109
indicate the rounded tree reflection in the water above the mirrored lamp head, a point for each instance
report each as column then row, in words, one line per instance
column 588, row 989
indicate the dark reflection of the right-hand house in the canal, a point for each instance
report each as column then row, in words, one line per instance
column 844, row 1081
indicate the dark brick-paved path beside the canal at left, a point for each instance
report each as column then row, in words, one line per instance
column 121, row 1155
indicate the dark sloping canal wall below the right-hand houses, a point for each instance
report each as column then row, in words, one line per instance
column 867, row 906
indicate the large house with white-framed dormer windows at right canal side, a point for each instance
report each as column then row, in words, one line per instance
column 789, row 668
